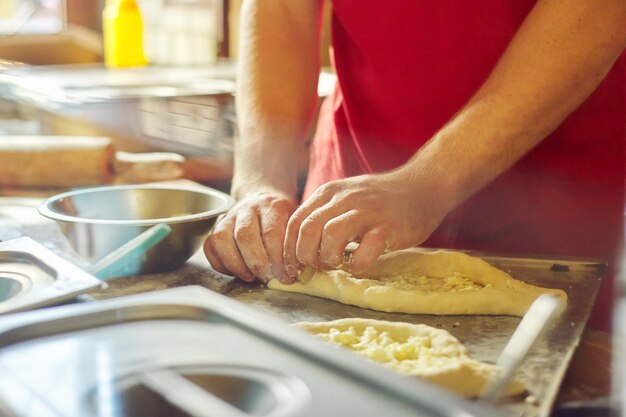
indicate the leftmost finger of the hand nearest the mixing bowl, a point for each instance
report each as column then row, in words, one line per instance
column 223, row 250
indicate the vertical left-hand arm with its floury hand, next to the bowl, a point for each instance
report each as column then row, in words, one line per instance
column 276, row 99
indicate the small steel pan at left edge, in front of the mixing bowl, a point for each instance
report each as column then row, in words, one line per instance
column 33, row 276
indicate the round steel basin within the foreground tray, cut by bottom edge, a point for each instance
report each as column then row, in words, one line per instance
column 234, row 390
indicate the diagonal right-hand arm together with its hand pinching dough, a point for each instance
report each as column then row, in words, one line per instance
column 558, row 57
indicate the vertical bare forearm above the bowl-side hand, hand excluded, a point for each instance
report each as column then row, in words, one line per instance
column 278, row 68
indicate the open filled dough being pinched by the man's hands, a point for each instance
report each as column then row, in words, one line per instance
column 418, row 281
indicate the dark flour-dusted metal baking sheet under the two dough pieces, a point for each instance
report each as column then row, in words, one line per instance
column 485, row 336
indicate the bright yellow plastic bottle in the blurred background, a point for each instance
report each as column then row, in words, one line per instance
column 122, row 30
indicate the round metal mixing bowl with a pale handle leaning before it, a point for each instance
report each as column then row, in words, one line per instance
column 98, row 220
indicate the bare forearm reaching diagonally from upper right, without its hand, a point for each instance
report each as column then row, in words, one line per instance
column 558, row 57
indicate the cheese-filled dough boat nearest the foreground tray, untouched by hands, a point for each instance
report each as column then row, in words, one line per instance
column 415, row 350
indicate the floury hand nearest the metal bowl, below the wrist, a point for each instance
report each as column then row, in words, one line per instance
column 248, row 240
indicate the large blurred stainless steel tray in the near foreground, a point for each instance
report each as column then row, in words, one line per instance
column 104, row 359
